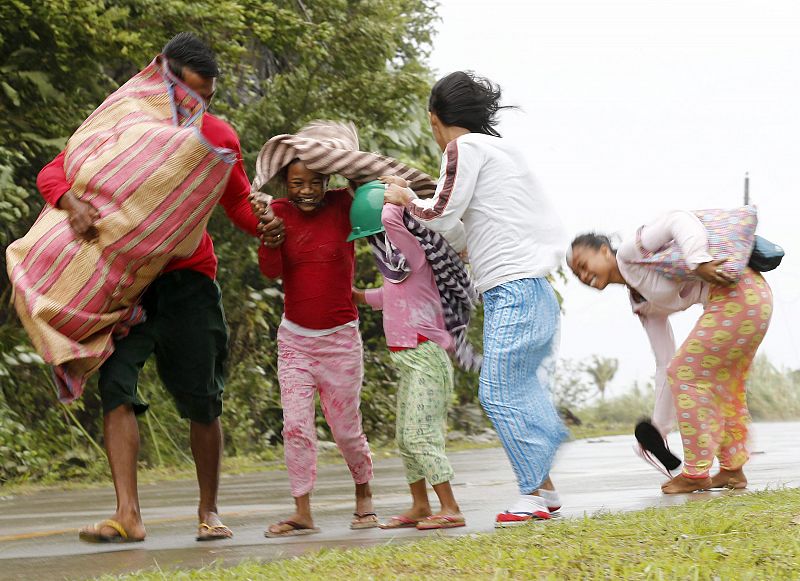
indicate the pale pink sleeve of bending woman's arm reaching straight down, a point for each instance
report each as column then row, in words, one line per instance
column 662, row 342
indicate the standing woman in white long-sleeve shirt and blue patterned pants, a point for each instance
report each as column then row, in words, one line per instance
column 488, row 202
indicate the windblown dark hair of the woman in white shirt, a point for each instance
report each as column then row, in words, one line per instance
column 462, row 99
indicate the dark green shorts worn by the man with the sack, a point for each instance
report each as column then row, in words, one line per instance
column 186, row 330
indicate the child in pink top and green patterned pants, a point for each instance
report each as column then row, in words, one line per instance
column 414, row 326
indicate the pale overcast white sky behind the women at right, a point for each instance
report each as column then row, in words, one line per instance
column 634, row 107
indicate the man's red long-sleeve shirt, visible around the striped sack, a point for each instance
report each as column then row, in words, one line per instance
column 52, row 183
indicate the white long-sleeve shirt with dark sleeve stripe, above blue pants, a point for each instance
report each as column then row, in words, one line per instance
column 488, row 201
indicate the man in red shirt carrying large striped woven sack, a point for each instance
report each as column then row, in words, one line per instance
column 120, row 266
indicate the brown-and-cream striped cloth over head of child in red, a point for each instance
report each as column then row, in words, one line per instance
column 329, row 147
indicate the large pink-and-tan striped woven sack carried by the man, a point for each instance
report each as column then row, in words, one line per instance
column 141, row 161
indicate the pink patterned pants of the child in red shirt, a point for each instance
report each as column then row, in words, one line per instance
column 332, row 366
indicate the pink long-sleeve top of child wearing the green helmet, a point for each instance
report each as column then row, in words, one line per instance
column 412, row 307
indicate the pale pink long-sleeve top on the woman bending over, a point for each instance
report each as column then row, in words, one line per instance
column 661, row 296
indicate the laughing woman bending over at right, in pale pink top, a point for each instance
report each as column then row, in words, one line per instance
column 702, row 384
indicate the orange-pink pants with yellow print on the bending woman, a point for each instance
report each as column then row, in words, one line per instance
column 708, row 373
